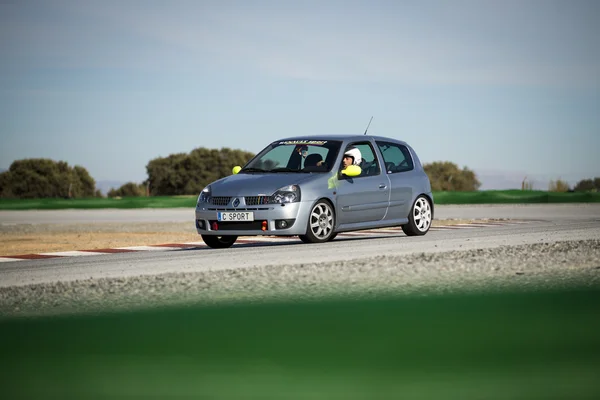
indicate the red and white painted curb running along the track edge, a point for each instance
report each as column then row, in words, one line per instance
column 243, row 240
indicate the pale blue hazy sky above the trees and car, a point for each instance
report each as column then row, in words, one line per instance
column 507, row 88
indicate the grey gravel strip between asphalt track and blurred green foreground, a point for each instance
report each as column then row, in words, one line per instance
column 537, row 266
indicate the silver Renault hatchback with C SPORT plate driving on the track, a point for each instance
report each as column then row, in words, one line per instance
column 315, row 187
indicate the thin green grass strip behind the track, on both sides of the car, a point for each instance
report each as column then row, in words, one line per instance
column 475, row 197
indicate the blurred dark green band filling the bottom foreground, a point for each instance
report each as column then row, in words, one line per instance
column 494, row 346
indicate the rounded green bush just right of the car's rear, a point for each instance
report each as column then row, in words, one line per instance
column 447, row 176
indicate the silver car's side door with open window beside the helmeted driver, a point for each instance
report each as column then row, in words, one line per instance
column 363, row 198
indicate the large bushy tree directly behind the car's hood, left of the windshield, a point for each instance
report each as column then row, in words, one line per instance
column 183, row 173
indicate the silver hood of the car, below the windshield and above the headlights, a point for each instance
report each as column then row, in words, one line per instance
column 256, row 183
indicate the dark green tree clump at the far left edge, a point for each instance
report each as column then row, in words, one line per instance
column 43, row 178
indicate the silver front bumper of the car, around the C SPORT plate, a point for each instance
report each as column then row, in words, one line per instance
column 296, row 215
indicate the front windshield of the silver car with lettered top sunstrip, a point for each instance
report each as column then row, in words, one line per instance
column 295, row 156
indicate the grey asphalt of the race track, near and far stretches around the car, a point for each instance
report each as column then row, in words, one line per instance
column 538, row 223
